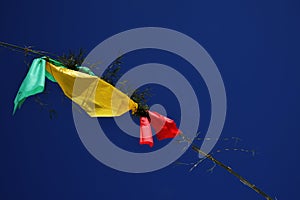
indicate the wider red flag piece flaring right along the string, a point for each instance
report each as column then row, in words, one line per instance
column 163, row 126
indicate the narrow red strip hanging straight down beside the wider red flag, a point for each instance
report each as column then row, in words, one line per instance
column 145, row 132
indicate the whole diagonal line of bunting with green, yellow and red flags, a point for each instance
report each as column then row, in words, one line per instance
column 34, row 83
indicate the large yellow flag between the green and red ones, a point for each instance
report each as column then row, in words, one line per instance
column 97, row 97
